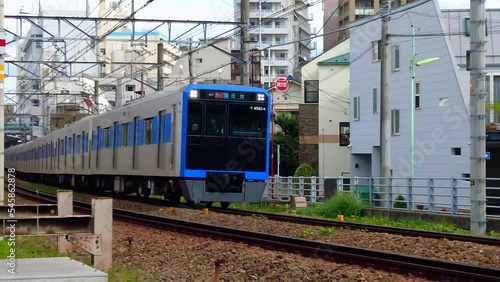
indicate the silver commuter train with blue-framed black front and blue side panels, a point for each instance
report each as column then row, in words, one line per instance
column 206, row 143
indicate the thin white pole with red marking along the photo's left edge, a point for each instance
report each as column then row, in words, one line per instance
column 2, row 98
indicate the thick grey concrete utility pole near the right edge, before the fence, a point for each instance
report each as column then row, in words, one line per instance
column 477, row 111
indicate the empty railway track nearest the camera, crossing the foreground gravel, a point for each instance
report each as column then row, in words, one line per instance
column 423, row 267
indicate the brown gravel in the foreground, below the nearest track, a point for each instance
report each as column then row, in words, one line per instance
column 169, row 256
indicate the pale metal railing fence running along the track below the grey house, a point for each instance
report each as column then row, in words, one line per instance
column 434, row 195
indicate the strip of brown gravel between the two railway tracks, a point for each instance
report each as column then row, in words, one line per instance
column 471, row 253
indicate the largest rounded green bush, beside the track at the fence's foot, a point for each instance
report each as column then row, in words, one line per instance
column 345, row 203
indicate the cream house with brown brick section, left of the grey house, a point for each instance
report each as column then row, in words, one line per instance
column 324, row 117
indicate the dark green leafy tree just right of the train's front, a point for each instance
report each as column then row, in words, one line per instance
column 288, row 139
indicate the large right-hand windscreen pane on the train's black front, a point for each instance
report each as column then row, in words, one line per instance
column 247, row 120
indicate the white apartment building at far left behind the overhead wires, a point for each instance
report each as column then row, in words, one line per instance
column 35, row 80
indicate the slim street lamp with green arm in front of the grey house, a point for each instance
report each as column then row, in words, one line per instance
column 412, row 101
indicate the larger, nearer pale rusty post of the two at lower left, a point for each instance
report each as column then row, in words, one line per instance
column 102, row 214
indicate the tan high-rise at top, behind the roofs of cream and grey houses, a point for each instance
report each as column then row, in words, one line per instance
column 349, row 11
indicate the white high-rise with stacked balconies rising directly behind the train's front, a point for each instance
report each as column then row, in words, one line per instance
column 290, row 22
